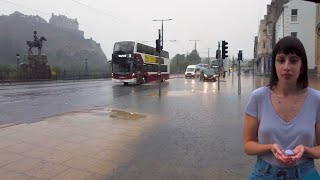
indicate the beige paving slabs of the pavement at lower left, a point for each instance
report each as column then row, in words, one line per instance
column 90, row 144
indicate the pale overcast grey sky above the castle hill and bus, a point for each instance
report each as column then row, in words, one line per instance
column 108, row 21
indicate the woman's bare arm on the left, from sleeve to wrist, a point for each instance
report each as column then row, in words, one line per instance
column 250, row 140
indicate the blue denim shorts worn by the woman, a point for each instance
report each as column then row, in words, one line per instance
column 266, row 171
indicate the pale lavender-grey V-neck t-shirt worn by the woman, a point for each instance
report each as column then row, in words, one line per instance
column 272, row 129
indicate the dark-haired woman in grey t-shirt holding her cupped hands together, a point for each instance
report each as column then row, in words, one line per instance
column 282, row 120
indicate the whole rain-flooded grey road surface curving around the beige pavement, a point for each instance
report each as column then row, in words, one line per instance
column 200, row 131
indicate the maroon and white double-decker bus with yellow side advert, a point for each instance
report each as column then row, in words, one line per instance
column 136, row 63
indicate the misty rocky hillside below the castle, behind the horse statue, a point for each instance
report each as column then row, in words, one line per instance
column 65, row 48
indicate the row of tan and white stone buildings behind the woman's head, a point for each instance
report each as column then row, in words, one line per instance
column 288, row 18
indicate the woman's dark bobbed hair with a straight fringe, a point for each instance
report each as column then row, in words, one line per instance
column 290, row 45
